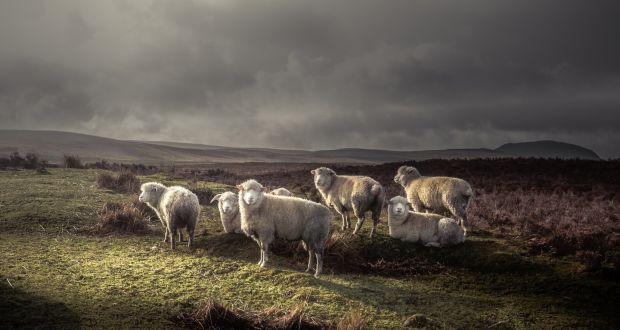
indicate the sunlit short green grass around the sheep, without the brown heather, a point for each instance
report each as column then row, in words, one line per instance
column 52, row 277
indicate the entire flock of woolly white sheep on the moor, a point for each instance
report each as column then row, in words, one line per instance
column 264, row 215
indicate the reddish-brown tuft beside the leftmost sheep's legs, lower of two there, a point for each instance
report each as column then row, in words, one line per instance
column 117, row 218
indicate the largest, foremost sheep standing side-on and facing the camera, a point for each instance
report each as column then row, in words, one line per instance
column 265, row 217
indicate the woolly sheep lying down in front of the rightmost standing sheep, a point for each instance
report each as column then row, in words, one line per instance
column 429, row 229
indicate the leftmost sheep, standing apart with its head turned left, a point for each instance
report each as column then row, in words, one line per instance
column 175, row 206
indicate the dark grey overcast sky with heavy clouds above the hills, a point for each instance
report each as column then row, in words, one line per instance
column 316, row 74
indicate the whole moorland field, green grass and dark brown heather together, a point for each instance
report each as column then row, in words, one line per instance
column 543, row 254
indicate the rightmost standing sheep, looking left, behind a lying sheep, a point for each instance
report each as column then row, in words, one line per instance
column 439, row 194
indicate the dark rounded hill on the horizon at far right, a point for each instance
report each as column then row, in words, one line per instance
column 548, row 149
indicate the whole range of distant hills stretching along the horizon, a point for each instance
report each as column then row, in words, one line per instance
column 52, row 145
